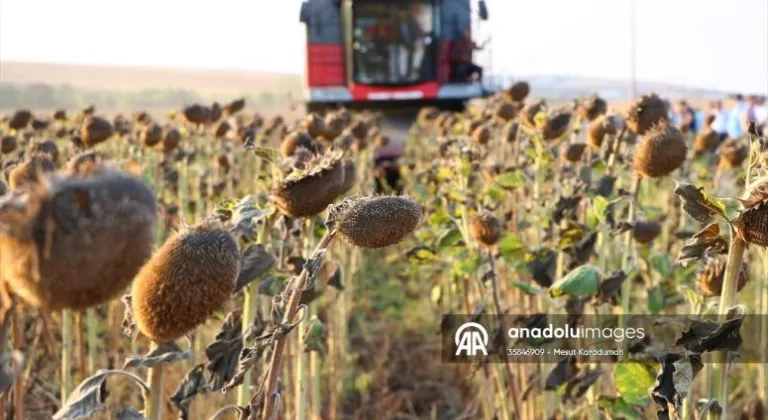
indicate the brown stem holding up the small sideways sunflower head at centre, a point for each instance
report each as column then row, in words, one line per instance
column 275, row 365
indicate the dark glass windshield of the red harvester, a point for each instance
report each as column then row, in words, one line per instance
column 394, row 43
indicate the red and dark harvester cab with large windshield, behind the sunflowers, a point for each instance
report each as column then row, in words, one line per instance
column 390, row 54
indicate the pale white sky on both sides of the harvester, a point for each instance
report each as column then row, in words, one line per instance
column 718, row 44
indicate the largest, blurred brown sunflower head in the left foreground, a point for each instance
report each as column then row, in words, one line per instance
column 75, row 242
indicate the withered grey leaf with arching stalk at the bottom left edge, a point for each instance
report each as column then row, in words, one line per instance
column 89, row 397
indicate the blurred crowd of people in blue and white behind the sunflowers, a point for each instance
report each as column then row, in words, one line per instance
column 729, row 119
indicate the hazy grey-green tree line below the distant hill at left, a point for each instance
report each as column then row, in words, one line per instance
column 40, row 95
